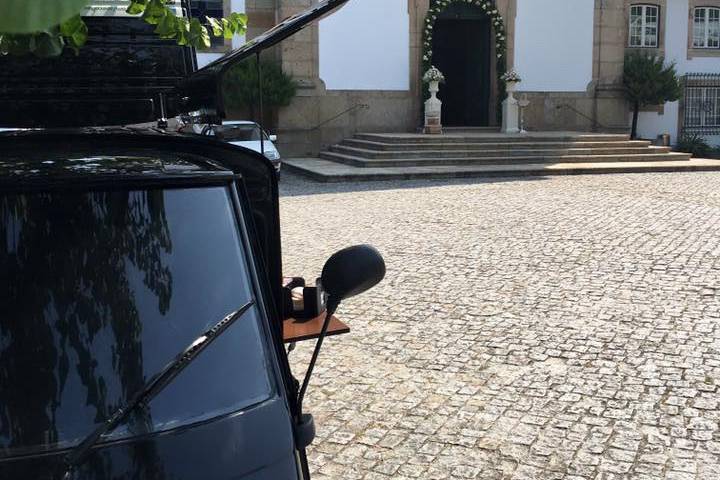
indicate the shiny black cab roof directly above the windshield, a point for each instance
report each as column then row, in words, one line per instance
column 62, row 158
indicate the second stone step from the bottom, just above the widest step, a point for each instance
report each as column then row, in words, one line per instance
column 361, row 162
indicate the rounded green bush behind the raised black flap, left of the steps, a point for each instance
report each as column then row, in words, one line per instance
column 240, row 86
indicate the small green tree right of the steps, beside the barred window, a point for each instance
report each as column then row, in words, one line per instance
column 648, row 81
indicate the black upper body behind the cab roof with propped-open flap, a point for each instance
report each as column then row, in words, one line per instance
column 118, row 77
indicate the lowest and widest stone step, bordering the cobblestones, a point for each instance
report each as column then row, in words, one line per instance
column 328, row 171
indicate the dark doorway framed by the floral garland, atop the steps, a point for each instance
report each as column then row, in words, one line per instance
column 461, row 50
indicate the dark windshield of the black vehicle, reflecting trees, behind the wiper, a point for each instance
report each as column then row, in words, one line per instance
column 100, row 291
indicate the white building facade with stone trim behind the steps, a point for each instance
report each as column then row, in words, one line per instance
column 360, row 69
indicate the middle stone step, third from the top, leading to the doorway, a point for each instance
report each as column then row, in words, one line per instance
column 490, row 152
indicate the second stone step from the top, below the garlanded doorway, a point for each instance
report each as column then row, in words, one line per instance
column 372, row 145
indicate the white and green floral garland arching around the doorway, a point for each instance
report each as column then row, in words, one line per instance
column 498, row 26
